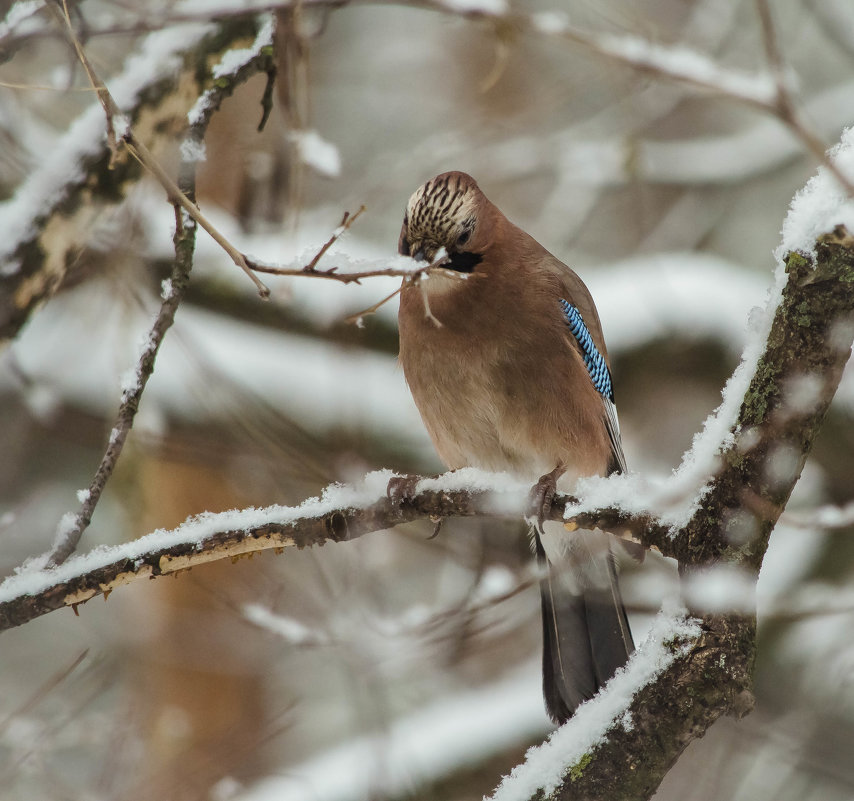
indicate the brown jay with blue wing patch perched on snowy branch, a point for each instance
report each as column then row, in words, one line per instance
column 502, row 349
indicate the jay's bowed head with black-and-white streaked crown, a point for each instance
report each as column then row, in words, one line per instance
column 446, row 212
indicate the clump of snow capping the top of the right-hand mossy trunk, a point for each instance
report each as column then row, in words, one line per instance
column 822, row 204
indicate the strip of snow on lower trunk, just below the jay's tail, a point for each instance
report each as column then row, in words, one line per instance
column 670, row 636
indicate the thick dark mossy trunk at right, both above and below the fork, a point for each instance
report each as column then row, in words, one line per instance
column 782, row 412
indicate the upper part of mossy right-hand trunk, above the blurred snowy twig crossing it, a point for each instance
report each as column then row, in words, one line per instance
column 783, row 409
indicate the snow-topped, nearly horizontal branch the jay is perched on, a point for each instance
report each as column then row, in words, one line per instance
column 340, row 513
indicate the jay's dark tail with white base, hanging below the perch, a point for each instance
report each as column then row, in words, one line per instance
column 586, row 634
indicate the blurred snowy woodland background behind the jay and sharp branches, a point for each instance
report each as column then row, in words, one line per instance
column 396, row 667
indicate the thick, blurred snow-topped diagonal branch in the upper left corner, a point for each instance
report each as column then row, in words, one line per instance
column 44, row 225
